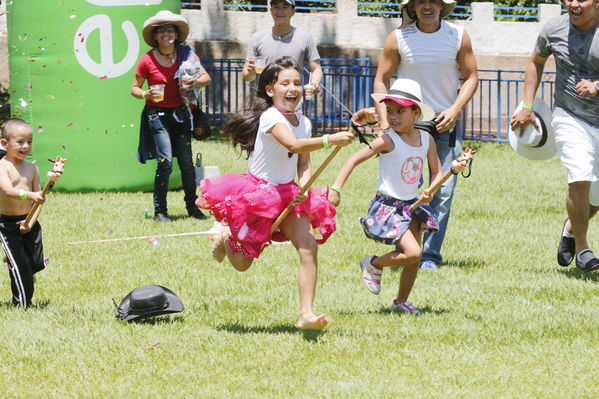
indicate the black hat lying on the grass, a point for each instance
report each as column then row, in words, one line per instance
column 147, row 301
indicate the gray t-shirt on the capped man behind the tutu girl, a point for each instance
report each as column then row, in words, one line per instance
column 298, row 45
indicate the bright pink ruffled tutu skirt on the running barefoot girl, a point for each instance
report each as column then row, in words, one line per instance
column 250, row 206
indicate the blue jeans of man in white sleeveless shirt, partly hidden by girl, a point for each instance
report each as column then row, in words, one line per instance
column 432, row 242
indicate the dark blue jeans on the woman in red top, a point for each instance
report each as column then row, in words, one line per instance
column 171, row 131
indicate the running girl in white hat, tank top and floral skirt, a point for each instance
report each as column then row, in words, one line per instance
column 403, row 150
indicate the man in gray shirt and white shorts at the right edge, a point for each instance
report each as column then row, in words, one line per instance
column 573, row 40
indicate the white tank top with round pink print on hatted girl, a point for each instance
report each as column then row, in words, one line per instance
column 400, row 169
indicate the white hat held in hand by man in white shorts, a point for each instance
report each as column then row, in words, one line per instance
column 536, row 142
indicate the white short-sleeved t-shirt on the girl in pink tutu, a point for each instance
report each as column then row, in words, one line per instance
column 270, row 161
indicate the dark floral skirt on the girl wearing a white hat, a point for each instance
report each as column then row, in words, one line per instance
column 389, row 218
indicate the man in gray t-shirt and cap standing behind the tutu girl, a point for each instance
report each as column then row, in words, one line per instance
column 283, row 40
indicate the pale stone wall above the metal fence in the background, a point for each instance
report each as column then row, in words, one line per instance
column 497, row 45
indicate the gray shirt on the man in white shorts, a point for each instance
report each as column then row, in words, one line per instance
column 576, row 54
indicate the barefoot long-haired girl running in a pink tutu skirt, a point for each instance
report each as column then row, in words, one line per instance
column 278, row 143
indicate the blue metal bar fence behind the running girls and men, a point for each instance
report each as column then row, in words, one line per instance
column 347, row 85
